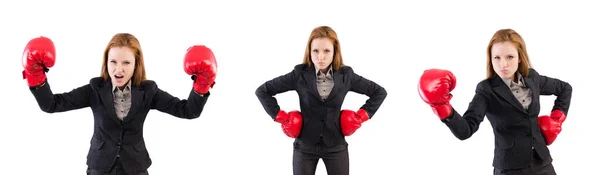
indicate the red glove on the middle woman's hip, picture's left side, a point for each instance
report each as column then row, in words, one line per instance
column 291, row 123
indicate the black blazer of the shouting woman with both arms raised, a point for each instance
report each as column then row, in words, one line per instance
column 112, row 137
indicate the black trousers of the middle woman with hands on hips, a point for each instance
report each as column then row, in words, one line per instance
column 306, row 157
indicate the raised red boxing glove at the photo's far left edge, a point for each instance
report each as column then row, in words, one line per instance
column 38, row 56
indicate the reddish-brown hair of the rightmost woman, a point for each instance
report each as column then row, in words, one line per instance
column 509, row 35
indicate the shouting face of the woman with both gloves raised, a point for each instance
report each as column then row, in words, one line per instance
column 121, row 64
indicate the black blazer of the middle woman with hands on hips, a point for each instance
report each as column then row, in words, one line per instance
column 320, row 116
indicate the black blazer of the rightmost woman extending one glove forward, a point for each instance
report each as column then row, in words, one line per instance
column 516, row 130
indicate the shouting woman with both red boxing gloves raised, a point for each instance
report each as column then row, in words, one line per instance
column 120, row 99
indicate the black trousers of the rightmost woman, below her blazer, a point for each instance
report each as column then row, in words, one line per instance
column 536, row 167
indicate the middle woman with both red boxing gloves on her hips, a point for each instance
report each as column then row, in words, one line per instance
column 322, row 82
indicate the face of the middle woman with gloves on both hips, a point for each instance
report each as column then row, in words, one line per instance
column 321, row 53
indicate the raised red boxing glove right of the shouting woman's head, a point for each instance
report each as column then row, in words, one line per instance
column 200, row 63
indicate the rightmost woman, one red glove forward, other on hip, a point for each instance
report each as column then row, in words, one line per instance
column 509, row 97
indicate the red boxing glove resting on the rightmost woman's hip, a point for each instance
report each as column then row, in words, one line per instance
column 551, row 125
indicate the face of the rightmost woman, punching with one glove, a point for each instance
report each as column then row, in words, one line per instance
column 505, row 59
